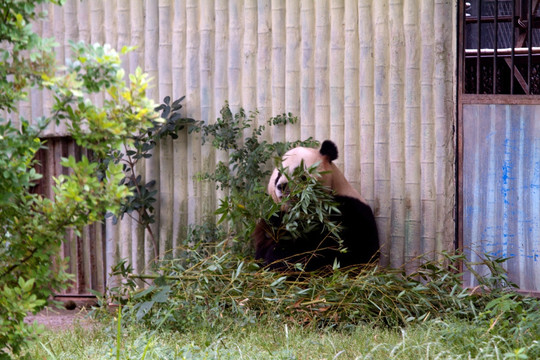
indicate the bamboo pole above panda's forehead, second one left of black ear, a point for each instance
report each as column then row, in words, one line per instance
column 292, row 65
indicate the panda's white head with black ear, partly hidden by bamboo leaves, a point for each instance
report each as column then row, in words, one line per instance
column 330, row 175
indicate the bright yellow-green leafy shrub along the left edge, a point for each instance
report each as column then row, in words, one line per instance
column 33, row 226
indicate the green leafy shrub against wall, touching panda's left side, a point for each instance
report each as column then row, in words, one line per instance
column 243, row 177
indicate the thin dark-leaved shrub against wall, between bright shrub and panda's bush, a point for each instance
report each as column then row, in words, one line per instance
column 139, row 147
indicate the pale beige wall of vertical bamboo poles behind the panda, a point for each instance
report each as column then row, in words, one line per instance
column 375, row 76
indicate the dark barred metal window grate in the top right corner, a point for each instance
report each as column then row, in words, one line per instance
column 502, row 47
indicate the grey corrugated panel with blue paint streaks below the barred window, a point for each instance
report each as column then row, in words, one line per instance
column 501, row 188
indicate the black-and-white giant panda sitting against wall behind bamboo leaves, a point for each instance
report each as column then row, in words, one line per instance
column 359, row 231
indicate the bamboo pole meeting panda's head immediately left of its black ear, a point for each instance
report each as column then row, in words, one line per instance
column 307, row 72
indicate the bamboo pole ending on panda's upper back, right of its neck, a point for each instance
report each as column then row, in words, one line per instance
column 366, row 93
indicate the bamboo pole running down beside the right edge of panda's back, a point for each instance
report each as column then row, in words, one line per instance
column 381, row 127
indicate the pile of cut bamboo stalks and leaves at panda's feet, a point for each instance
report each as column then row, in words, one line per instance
column 222, row 285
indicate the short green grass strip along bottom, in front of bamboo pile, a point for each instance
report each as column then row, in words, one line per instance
column 274, row 340
